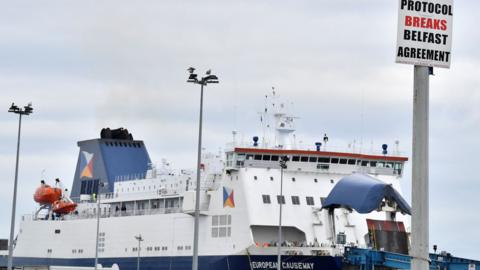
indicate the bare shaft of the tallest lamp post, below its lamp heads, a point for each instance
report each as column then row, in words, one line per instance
column 197, row 192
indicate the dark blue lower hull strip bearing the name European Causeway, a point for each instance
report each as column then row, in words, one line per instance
column 234, row 262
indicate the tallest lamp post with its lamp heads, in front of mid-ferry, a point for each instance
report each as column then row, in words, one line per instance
column 192, row 78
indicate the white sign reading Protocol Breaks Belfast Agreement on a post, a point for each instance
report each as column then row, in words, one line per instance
column 424, row 34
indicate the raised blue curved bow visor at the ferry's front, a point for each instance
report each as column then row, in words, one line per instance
column 364, row 194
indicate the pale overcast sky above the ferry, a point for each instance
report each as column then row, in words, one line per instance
column 92, row 64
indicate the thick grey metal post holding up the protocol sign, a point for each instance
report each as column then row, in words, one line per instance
column 420, row 169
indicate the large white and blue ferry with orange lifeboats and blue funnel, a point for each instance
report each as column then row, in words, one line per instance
column 116, row 185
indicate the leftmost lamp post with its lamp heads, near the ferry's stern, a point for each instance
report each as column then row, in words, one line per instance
column 25, row 111
